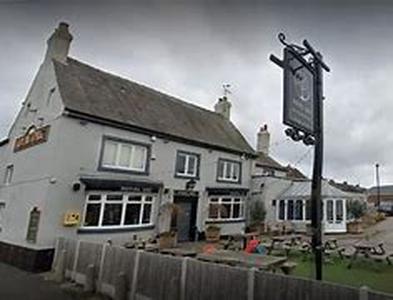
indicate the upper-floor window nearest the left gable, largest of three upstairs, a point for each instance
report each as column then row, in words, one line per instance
column 124, row 156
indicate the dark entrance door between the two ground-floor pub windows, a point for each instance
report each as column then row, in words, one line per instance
column 185, row 221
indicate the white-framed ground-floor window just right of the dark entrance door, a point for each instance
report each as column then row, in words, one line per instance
column 226, row 208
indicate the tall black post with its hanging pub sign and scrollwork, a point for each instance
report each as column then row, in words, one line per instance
column 303, row 113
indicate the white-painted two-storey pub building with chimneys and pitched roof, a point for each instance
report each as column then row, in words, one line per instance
column 93, row 156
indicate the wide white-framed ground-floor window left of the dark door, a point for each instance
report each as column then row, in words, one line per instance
column 117, row 210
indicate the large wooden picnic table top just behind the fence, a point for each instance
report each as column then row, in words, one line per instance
column 243, row 259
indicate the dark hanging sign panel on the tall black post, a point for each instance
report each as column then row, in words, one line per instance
column 298, row 92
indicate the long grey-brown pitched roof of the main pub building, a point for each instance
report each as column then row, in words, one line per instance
column 91, row 92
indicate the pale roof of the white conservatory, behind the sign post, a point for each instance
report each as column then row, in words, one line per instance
column 302, row 189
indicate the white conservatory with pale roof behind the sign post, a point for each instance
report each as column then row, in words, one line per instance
column 294, row 206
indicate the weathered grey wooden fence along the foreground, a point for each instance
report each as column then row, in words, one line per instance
column 137, row 275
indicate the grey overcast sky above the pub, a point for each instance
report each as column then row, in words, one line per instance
column 190, row 51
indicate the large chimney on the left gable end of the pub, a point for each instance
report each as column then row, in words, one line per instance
column 59, row 43
